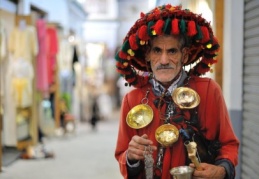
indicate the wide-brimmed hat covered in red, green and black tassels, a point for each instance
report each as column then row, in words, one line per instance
column 166, row 20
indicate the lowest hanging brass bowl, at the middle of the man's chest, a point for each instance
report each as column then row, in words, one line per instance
column 167, row 134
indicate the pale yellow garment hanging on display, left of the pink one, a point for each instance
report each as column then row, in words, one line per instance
column 23, row 47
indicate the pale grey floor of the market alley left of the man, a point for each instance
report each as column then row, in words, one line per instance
column 86, row 155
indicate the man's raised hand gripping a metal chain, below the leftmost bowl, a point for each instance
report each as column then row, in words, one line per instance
column 137, row 146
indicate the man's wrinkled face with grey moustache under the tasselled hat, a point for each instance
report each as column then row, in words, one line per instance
column 166, row 58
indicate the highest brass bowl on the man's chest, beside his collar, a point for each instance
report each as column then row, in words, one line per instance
column 186, row 98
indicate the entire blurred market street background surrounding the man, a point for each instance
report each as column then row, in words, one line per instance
column 60, row 93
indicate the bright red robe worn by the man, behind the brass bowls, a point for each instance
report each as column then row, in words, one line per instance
column 212, row 113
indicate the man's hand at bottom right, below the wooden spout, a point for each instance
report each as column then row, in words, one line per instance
column 209, row 171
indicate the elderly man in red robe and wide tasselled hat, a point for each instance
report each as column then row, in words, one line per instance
column 172, row 106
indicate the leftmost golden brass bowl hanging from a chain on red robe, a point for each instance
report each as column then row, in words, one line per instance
column 139, row 116
